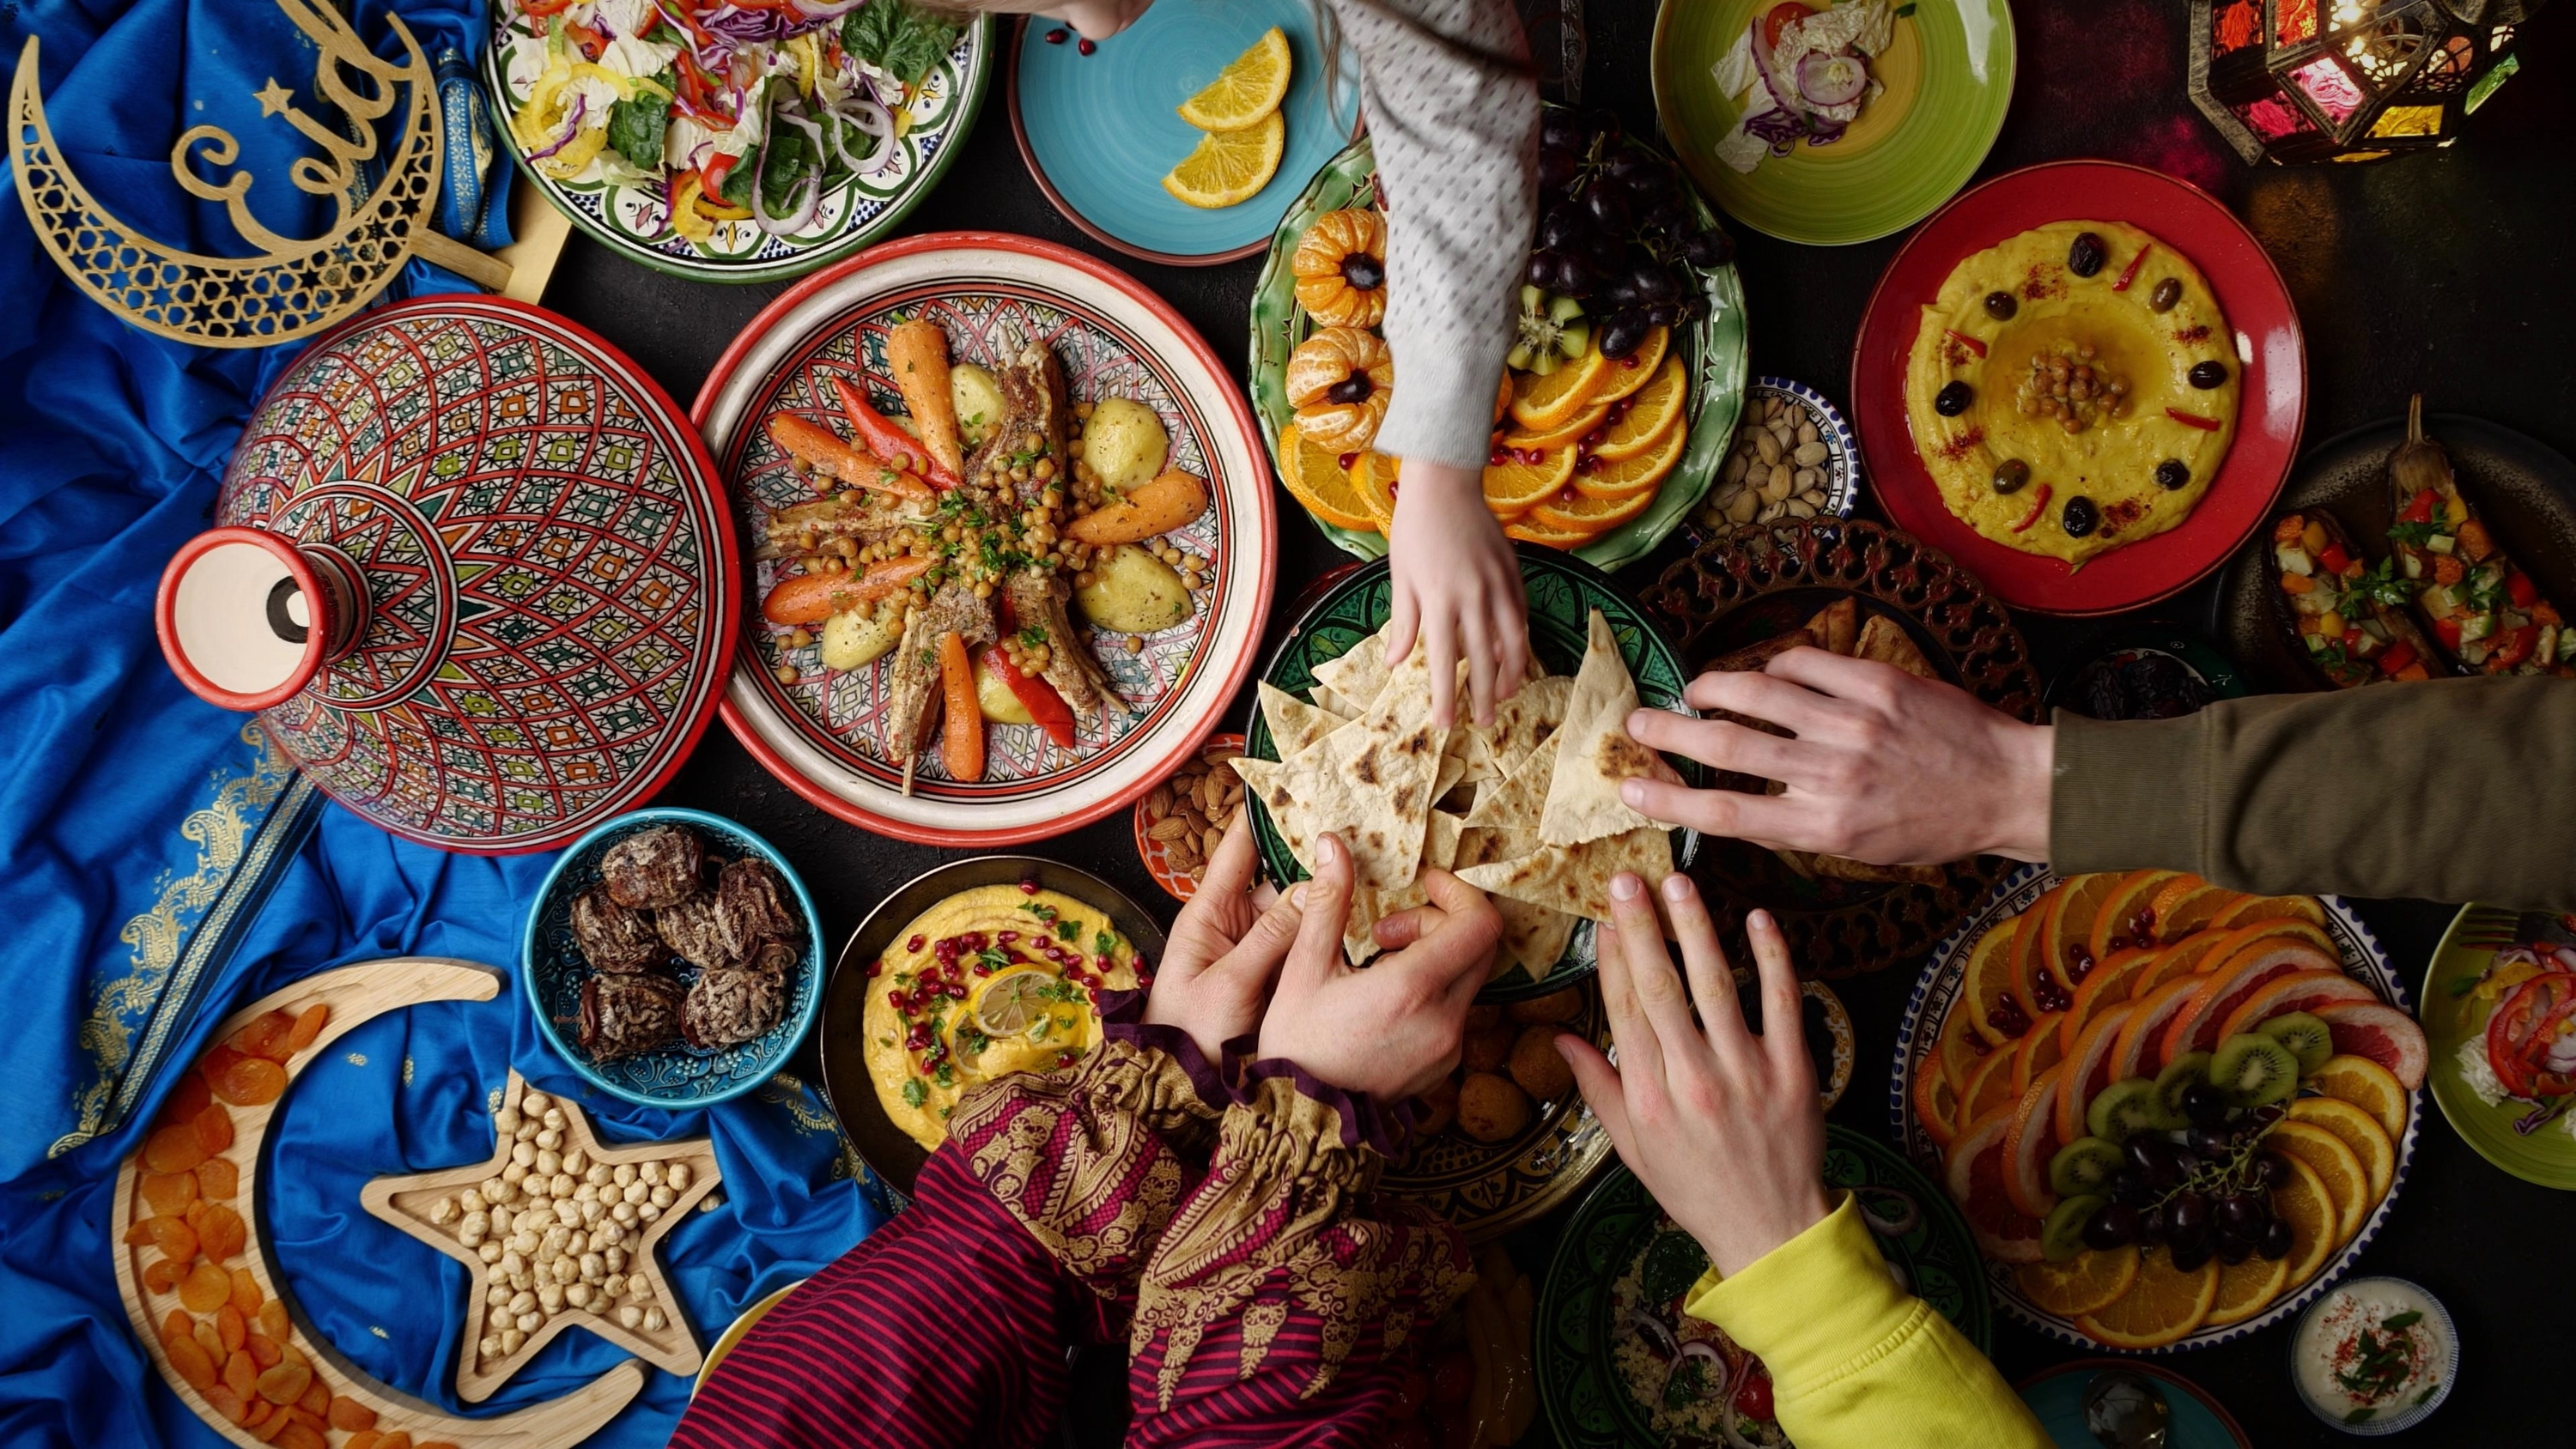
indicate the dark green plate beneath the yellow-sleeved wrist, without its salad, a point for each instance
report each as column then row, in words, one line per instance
column 1619, row 1242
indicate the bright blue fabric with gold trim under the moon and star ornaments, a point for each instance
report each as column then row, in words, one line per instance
column 161, row 863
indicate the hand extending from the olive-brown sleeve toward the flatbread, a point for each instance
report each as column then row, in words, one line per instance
column 1879, row 766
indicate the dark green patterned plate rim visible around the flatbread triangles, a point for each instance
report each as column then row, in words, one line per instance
column 1562, row 598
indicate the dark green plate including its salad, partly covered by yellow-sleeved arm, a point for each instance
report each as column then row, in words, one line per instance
column 1624, row 1368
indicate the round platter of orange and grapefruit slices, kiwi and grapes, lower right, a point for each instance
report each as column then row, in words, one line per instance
column 2168, row 1111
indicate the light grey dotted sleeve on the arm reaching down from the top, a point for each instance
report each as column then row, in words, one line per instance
column 1454, row 120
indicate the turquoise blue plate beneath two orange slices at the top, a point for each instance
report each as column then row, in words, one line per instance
column 1101, row 130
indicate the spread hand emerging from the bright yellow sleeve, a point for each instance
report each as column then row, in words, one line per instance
column 1722, row 1126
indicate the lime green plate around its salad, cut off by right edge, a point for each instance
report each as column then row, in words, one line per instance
column 2456, row 1010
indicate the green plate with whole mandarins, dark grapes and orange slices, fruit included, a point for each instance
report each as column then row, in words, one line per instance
column 1622, row 385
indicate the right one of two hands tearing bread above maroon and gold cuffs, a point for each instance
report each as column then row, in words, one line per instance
column 1395, row 1028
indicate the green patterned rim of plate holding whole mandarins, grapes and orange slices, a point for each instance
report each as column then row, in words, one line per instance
column 1712, row 346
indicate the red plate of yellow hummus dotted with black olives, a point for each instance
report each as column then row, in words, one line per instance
column 2186, row 454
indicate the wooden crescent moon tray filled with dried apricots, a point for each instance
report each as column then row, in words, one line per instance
column 194, row 1268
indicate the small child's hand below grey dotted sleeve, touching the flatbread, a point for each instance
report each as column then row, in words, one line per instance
column 1457, row 588
